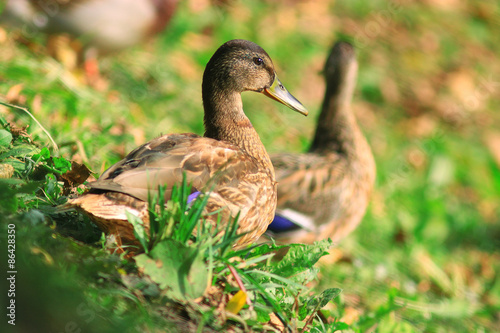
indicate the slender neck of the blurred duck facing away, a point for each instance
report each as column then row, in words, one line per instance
column 337, row 129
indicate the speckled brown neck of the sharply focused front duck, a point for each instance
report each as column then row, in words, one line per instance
column 226, row 121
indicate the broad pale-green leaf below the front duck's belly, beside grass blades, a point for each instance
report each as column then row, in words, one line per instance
column 177, row 268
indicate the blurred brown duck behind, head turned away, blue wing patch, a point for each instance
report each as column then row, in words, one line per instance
column 324, row 193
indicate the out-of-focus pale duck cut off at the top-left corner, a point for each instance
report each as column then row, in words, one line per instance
column 100, row 26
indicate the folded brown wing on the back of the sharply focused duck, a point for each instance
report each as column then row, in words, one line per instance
column 163, row 161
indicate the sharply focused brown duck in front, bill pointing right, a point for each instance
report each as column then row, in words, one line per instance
column 229, row 163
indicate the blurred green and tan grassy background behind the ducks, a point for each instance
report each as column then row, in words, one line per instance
column 427, row 98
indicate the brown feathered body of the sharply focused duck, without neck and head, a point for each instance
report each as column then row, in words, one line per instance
column 236, row 181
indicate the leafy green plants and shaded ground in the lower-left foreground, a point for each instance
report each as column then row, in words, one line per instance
column 183, row 270
